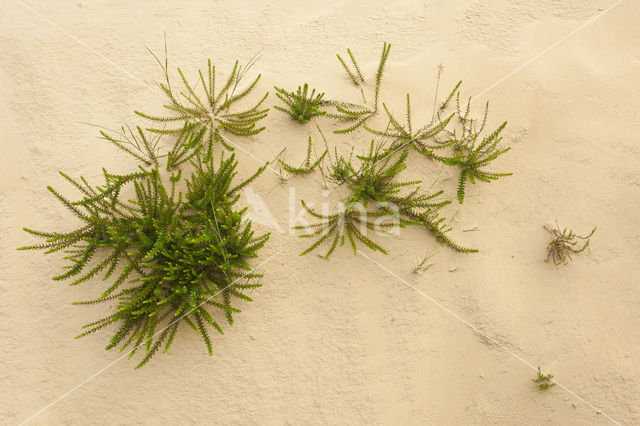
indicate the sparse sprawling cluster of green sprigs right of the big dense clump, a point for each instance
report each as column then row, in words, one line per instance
column 380, row 200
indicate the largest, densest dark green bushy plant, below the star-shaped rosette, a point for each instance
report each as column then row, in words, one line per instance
column 181, row 258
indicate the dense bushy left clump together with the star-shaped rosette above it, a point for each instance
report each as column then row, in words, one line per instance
column 175, row 255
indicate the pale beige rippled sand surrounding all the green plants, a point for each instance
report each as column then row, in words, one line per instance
column 343, row 341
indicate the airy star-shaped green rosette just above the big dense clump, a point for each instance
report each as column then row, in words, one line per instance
column 203, row 114
